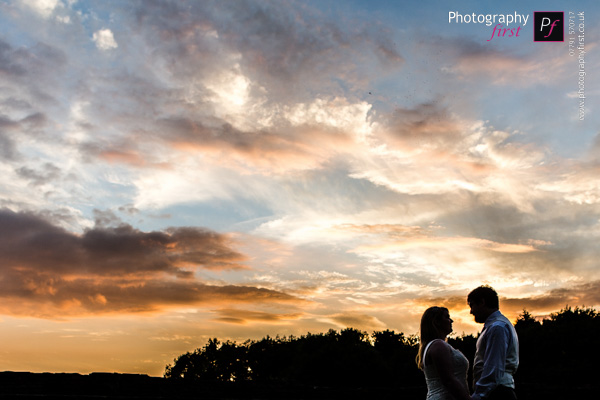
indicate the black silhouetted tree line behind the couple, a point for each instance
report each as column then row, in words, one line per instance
column 558, row 356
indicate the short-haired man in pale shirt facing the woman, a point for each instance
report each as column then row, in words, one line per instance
column 497, row 352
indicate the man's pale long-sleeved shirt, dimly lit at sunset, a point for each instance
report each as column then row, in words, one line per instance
column 496, row 357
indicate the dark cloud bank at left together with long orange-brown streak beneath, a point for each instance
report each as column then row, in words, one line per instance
column 47, row 271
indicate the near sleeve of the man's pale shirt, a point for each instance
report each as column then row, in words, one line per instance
column 494, row 361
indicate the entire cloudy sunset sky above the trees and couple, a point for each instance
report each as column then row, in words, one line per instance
column 174, row 171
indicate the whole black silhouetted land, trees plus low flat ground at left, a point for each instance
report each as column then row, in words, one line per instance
column 559, row 358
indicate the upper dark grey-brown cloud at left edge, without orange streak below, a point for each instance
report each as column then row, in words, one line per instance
column 30, row 242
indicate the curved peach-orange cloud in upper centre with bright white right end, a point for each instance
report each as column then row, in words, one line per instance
column 310, row 136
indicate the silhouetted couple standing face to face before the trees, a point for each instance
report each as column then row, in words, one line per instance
column 496, row 356
